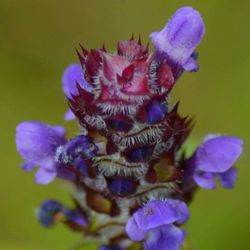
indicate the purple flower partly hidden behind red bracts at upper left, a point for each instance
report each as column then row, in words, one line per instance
column 72, row 76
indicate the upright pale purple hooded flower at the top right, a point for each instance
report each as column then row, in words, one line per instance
column 180, row 37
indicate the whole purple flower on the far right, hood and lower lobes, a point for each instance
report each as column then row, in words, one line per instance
column 216, row 157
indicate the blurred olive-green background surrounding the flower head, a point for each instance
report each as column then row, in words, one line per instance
column 37, row 42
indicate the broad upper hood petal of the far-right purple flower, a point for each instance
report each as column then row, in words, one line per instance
column 218, row 154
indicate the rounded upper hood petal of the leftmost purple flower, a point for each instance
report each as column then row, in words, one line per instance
column 36, row 141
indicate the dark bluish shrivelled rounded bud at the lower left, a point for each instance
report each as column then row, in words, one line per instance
column 48, row 212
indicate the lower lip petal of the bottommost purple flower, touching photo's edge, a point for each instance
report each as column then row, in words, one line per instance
column 167, row 237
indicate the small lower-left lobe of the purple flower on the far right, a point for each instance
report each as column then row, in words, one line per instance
column 205, row 180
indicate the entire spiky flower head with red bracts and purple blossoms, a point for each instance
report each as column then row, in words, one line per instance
column 132, row 184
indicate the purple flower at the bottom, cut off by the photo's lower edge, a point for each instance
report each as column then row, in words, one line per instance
column 154, row 224
